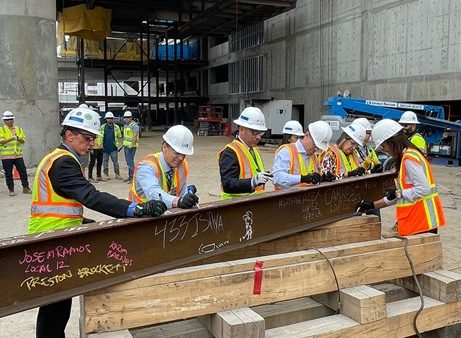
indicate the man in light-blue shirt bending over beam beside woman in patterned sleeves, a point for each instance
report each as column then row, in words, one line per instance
column 296, row 163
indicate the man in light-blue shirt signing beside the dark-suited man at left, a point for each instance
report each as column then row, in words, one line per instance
column 163, row 175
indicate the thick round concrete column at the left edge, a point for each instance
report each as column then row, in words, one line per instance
column 29, row 72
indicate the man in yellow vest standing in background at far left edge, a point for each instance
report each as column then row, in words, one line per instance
column 12, row 139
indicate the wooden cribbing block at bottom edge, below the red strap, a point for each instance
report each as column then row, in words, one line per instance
column 238, row 323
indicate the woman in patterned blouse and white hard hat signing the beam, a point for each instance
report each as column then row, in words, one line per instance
column 339, row 159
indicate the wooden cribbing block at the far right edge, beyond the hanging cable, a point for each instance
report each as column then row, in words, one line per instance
column 442, row 285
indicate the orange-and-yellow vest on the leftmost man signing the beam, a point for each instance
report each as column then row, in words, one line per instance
column 50, row 211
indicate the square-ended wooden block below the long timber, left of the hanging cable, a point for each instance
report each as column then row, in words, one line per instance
column 363, row 304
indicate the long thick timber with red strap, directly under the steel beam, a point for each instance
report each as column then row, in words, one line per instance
column 301, row 274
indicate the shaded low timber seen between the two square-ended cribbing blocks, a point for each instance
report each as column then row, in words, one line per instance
column 291, row 311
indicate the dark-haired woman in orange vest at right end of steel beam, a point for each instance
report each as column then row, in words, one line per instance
column 417, row 202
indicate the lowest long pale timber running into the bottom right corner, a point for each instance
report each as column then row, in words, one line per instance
column 399, row 322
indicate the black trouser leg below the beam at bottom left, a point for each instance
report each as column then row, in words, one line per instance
column 52, row 319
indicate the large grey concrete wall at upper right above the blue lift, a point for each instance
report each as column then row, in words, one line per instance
column 407, row 50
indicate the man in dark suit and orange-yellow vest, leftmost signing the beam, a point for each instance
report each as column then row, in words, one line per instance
column 59, row 193
